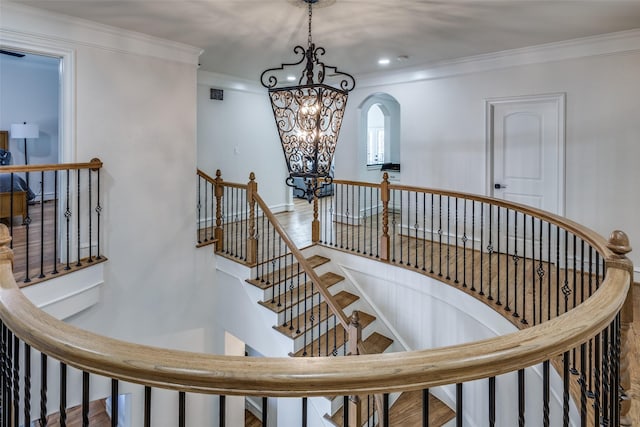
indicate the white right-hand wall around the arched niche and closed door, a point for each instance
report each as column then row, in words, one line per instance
column 443, row 130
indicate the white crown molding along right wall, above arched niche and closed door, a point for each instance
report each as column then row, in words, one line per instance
column 606, row 44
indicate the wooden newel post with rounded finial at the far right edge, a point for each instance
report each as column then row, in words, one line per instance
column 619, row 245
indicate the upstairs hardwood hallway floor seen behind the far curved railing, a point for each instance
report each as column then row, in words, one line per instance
column 297, row 225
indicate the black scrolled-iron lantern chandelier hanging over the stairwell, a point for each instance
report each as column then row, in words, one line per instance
column 308, row 115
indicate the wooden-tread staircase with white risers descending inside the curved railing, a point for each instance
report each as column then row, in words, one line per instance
column 303, row 317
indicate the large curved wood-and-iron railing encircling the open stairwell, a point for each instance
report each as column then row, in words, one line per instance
column 595, row 329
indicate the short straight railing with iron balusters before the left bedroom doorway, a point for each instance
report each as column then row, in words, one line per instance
column 53, row 213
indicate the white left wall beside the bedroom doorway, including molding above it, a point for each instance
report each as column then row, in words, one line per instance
column 135, row 109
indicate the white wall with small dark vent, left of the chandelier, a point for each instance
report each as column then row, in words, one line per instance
column 238, row 136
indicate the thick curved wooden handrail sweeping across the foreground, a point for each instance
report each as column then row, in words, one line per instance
column 317, row 376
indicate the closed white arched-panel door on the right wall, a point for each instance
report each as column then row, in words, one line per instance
column 525, row 147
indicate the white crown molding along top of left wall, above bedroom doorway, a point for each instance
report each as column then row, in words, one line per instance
column 36, row 25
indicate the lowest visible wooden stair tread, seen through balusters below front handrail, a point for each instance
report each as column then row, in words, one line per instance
column 407, row 411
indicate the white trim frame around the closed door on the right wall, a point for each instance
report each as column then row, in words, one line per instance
column 560, row 100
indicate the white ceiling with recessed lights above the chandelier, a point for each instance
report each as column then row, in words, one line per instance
column 243, row 37
